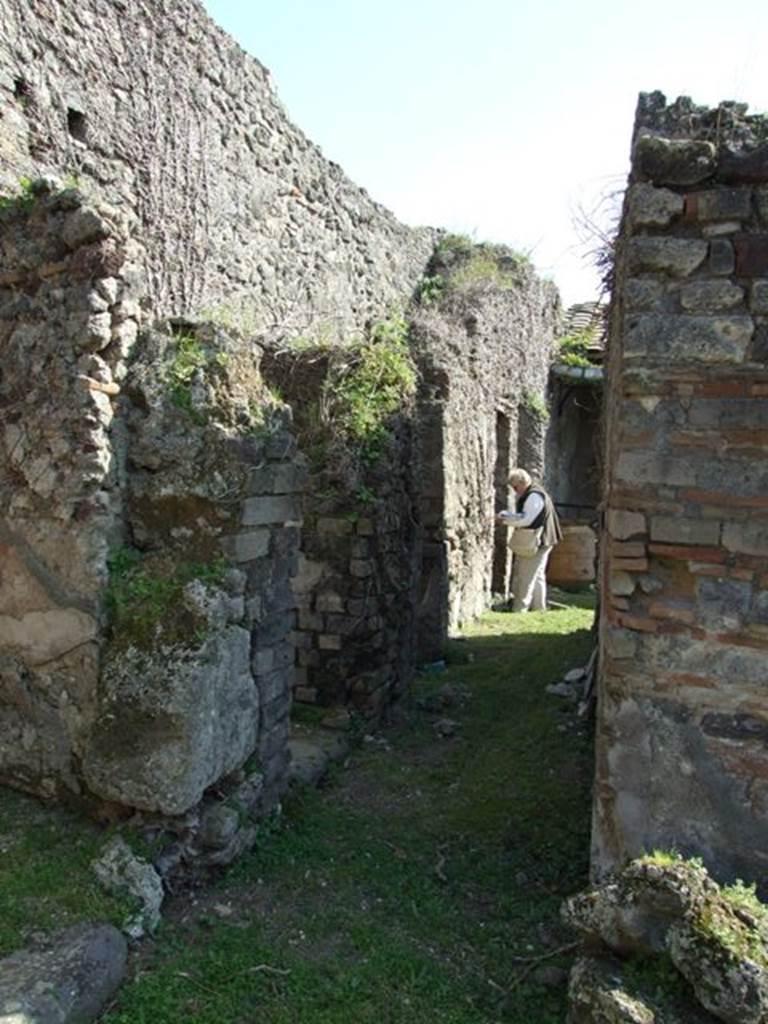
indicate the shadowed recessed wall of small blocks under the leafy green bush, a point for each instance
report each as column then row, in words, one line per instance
column 361, row 543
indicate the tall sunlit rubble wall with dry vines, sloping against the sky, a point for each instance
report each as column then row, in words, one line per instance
column 159, row 111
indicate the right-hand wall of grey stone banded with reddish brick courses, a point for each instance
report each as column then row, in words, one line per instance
column 682, row 716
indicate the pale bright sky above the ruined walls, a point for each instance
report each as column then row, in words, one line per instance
column 497, row 118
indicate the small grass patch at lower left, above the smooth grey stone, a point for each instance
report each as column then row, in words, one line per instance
column 46, row 877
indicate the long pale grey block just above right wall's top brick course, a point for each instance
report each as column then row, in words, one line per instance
column 708, row 339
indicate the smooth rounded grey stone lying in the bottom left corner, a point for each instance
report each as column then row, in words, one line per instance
column 67, row 979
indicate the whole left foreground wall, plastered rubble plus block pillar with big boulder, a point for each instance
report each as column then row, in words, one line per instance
column 149, row 531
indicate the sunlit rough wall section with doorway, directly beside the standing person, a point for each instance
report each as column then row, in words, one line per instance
column 484, row 352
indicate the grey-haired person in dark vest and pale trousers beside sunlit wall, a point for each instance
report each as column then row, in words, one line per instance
column 537, row 531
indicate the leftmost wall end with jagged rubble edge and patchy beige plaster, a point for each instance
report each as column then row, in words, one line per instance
column 66, row 319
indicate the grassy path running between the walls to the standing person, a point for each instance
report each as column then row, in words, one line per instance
column 403, row 891
